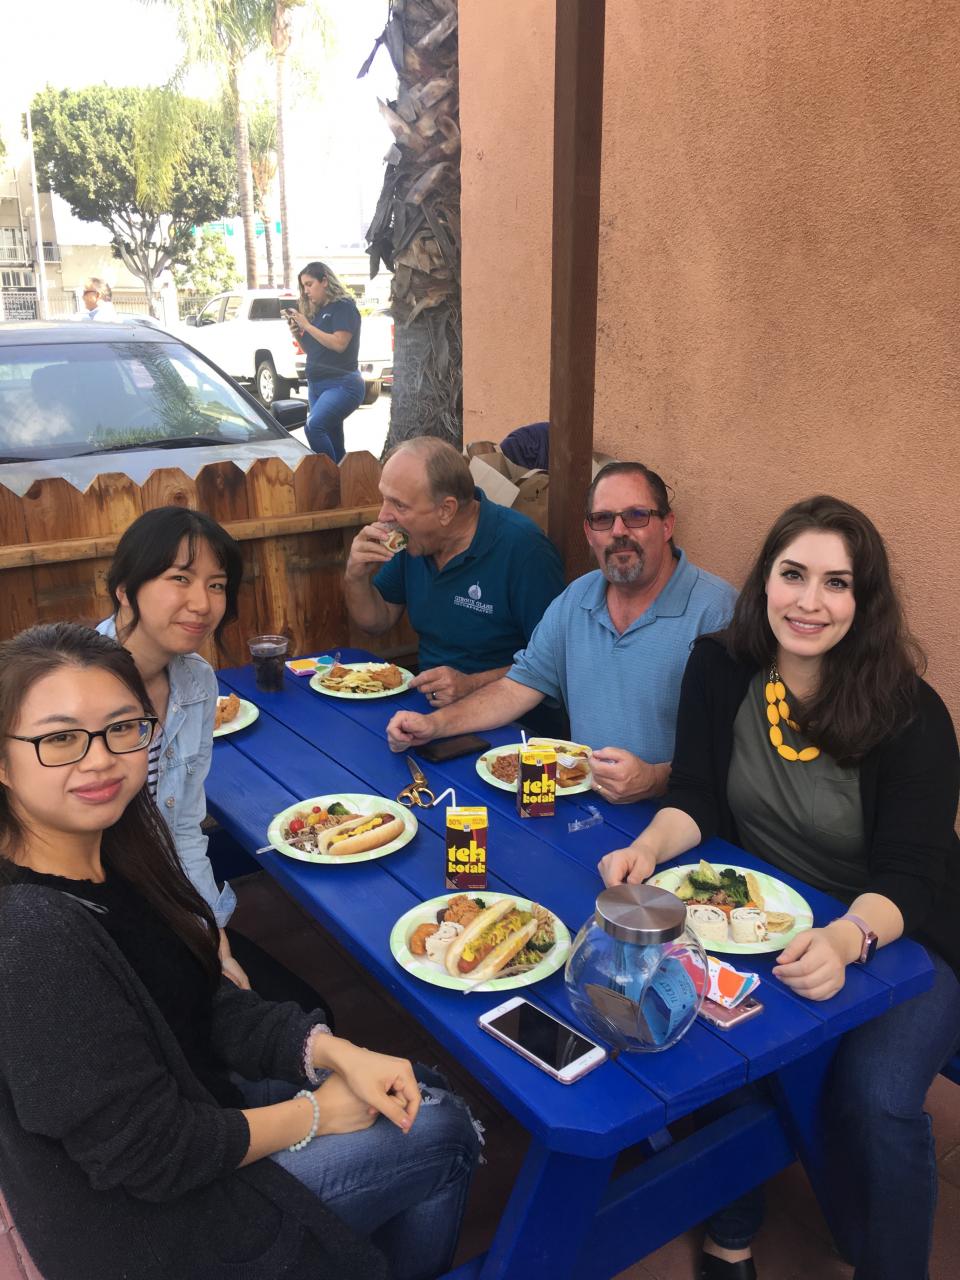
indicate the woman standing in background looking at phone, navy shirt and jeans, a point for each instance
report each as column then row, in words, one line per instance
column 327, row 327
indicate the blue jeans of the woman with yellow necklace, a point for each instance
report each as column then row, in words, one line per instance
column 879, row 1139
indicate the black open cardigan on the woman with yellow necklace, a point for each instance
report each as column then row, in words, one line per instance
column 908, row 788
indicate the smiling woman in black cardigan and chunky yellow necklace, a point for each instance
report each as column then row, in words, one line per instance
column 807, row 737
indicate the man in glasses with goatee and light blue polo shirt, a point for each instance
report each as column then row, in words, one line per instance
column 614, row 646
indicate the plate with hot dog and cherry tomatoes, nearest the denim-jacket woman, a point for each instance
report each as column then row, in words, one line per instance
column 349, row 828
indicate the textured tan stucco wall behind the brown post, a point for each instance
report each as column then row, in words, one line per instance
column 780, row 292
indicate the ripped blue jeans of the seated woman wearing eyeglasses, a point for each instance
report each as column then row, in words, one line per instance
column 406, row 1192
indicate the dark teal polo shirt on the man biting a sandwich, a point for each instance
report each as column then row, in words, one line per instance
column 483, row 606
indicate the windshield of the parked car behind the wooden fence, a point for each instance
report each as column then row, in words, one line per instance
column 60, row 400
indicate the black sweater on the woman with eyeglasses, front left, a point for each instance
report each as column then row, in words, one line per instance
column 116, row 1162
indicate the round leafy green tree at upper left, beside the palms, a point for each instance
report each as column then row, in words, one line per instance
column 88, row 147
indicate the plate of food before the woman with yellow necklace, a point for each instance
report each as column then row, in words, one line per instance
column 737, row 911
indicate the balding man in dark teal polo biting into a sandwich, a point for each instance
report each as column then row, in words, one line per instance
column 474, row 578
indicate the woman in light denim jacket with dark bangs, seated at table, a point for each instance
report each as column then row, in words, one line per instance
column 175, row 582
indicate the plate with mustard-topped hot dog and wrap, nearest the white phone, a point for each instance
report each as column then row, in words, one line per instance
column 481, row 941
